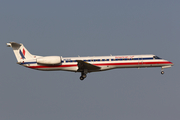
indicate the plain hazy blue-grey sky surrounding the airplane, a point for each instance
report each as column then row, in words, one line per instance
column 89, row 28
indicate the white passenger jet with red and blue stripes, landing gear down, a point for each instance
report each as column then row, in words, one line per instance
column 85, row 64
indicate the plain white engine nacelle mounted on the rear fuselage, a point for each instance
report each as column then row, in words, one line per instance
column 49, row 60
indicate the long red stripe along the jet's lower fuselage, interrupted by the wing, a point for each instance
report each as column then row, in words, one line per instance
column 104, row 64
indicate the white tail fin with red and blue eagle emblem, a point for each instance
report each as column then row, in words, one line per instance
column 20, row 51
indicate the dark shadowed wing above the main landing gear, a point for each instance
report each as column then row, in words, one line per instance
column 84, row 65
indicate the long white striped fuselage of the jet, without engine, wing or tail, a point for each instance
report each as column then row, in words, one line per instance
column 104, row 62
